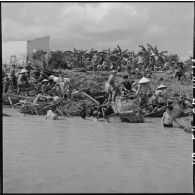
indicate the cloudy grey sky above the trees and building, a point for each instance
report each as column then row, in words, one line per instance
column 102, row 25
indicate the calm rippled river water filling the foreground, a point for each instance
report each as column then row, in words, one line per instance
column 81, row 156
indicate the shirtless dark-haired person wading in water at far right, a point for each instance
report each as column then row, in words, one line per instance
column 169, row 117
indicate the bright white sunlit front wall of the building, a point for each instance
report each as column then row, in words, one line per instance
column 14, row 52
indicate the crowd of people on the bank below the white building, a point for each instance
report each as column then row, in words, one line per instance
column 20, row 81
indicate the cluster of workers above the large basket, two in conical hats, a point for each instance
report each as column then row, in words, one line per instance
column 141, row 90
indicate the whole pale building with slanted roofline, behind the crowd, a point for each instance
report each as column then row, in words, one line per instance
column 18, row 52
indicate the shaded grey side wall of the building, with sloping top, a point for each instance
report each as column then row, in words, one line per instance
column 41, row 43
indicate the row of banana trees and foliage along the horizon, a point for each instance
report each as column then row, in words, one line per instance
column 150, row 56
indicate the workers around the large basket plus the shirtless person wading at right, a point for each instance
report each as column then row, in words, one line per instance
column 143, row 92
